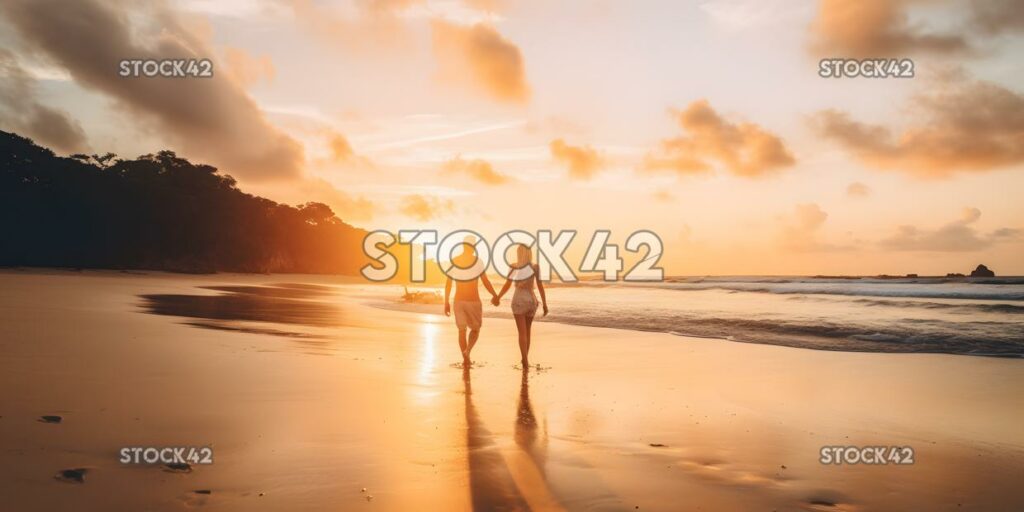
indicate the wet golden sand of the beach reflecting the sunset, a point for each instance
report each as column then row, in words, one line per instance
column 309, row 395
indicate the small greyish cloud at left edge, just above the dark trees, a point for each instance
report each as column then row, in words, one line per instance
column 22, row 112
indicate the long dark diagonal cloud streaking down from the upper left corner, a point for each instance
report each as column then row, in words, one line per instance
column 212, row 119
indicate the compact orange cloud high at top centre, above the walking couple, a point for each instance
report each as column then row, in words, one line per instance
column 480, row 57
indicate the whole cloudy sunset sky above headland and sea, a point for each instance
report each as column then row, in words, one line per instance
column 705, row 122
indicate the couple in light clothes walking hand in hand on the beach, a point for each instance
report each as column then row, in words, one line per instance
column 470, row 311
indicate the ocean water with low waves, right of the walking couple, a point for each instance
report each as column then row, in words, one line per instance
column 977, row 317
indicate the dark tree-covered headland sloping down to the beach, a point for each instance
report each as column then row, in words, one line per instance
column 157, row 212
